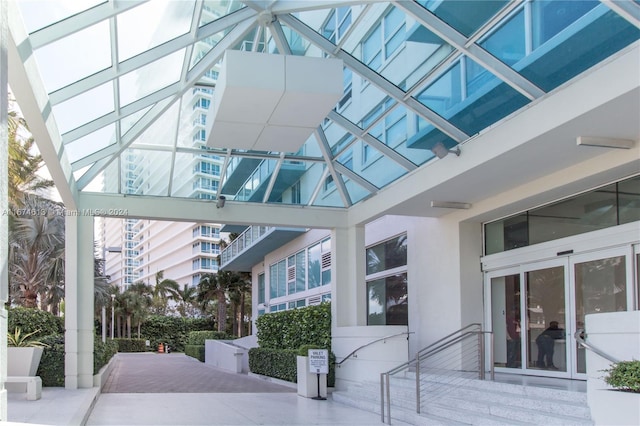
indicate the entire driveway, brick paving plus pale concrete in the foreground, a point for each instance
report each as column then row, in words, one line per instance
column 172, row 389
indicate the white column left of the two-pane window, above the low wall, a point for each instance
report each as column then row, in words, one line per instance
column 348, row 294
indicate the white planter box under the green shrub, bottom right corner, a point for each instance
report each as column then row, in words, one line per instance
column 610, row 407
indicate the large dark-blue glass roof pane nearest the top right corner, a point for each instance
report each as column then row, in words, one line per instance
column 589, row 40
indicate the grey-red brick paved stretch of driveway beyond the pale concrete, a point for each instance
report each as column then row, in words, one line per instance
column 178, row 373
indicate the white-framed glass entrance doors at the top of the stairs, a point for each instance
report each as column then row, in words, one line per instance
column 536, row 308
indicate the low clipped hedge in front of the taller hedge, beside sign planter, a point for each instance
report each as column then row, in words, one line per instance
column 278, row 363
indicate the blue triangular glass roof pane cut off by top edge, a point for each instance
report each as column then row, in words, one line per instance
column 466, row 16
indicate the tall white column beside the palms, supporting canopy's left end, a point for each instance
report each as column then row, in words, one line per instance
column 79, row 311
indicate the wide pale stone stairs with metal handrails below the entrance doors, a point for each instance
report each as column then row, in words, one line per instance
column 468, row 401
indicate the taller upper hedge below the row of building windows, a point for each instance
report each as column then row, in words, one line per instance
column 291, row 329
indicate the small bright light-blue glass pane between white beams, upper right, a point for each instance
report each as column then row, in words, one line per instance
column 508, row 42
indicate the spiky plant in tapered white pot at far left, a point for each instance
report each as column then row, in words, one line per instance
column 23, row 353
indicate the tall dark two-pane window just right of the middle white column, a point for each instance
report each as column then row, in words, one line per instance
column 387, row 302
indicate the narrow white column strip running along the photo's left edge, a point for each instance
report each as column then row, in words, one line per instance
column 4, row 206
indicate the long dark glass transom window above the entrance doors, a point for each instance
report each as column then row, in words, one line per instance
column 601, row 208
